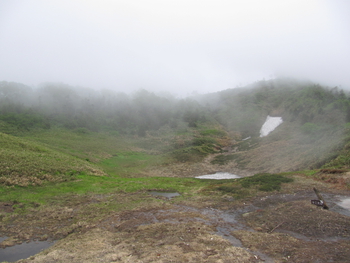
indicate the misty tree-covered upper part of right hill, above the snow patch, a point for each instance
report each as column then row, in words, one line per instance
column 303, row 103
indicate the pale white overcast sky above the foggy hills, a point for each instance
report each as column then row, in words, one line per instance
column 179, row 46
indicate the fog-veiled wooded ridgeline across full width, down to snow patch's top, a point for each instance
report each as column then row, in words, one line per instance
column 242, row 110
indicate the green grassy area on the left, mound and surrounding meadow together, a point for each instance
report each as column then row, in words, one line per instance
column 118, row 157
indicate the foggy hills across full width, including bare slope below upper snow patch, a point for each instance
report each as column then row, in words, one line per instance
column 313, row 132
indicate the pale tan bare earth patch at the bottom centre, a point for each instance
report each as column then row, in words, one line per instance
column 172, row 234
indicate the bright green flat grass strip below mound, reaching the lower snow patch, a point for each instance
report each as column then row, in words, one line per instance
column 86, row 184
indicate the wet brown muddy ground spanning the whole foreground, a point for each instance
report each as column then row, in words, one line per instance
column 270, row 227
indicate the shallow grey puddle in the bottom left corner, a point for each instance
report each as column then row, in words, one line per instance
column 22, row 251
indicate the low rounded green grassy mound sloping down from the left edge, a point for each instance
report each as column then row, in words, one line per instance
column 26, row 163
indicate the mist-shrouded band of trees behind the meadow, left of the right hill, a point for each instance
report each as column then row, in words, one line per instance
column 82, row 108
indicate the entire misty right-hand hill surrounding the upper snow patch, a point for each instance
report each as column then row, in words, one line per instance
column 313, row 133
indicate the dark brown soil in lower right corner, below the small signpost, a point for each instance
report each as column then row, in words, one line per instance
column 290, row 228
